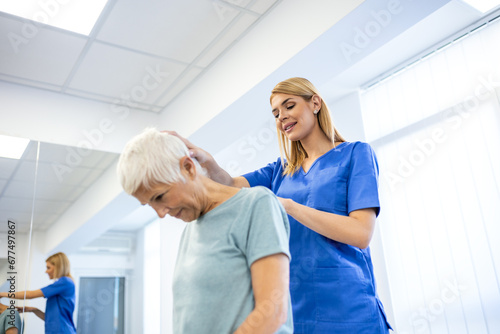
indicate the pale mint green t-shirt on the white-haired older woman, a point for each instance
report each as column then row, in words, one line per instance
column 212, row 285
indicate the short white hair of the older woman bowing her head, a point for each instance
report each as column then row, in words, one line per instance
column 152, row 157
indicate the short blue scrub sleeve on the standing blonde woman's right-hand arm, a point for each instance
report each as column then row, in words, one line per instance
column 362, row 184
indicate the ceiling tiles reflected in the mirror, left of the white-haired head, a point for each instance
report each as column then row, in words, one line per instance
column 62, row 175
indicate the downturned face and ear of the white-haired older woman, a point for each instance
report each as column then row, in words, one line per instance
column 181, row 200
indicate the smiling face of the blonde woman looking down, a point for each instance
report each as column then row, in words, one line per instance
column 294, row 116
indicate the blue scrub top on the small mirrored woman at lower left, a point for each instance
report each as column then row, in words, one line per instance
column 60, row 306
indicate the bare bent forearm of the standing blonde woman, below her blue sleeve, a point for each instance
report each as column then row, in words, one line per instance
column 355, row 230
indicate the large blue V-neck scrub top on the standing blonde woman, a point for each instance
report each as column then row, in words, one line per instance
column 331, row 283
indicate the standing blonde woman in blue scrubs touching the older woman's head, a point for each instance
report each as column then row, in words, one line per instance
column 329, row 188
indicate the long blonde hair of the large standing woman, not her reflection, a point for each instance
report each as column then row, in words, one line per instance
column 293, row 150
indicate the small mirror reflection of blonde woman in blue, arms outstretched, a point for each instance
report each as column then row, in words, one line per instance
column 58, row 315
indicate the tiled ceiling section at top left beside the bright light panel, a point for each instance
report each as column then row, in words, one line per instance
column 122, row 61
